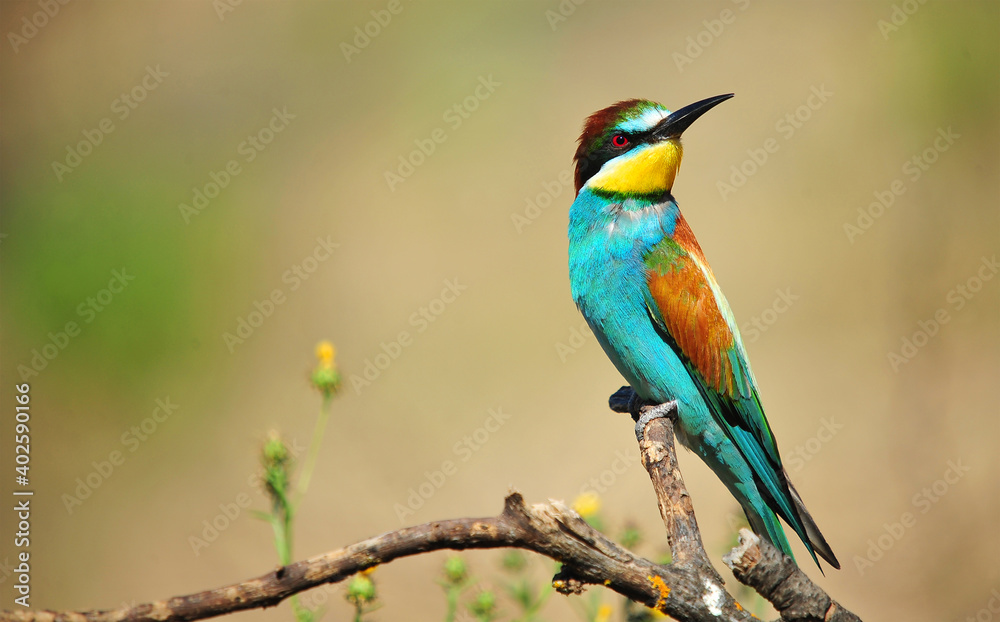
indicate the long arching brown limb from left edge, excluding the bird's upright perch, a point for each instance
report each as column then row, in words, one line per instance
column 551, row 529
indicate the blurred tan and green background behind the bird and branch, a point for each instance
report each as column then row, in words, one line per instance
column 215, row 72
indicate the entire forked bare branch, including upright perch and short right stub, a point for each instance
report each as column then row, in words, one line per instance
column 688, row 589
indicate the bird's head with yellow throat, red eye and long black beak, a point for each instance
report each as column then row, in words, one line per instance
column 633, row 148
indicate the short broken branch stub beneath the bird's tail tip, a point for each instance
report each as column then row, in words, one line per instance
column 778, row 579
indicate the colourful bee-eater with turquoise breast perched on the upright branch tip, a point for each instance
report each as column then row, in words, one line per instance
column 642, row 283
